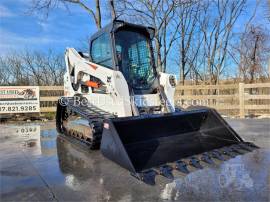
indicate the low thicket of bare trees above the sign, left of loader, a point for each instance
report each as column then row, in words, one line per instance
column 32, row 68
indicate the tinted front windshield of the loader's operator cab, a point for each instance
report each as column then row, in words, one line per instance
column 134, row 58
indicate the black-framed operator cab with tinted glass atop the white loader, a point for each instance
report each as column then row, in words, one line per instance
column 127, row 47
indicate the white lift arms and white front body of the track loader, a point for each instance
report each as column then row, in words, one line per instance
column 115, row 96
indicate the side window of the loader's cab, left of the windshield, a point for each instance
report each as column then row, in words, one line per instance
column 101, row 51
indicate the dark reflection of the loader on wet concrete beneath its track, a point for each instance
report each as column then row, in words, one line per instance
column 89, row 172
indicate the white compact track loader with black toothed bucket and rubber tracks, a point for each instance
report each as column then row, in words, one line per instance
column 117, row 101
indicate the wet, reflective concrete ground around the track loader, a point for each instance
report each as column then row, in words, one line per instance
column 38, row 166
